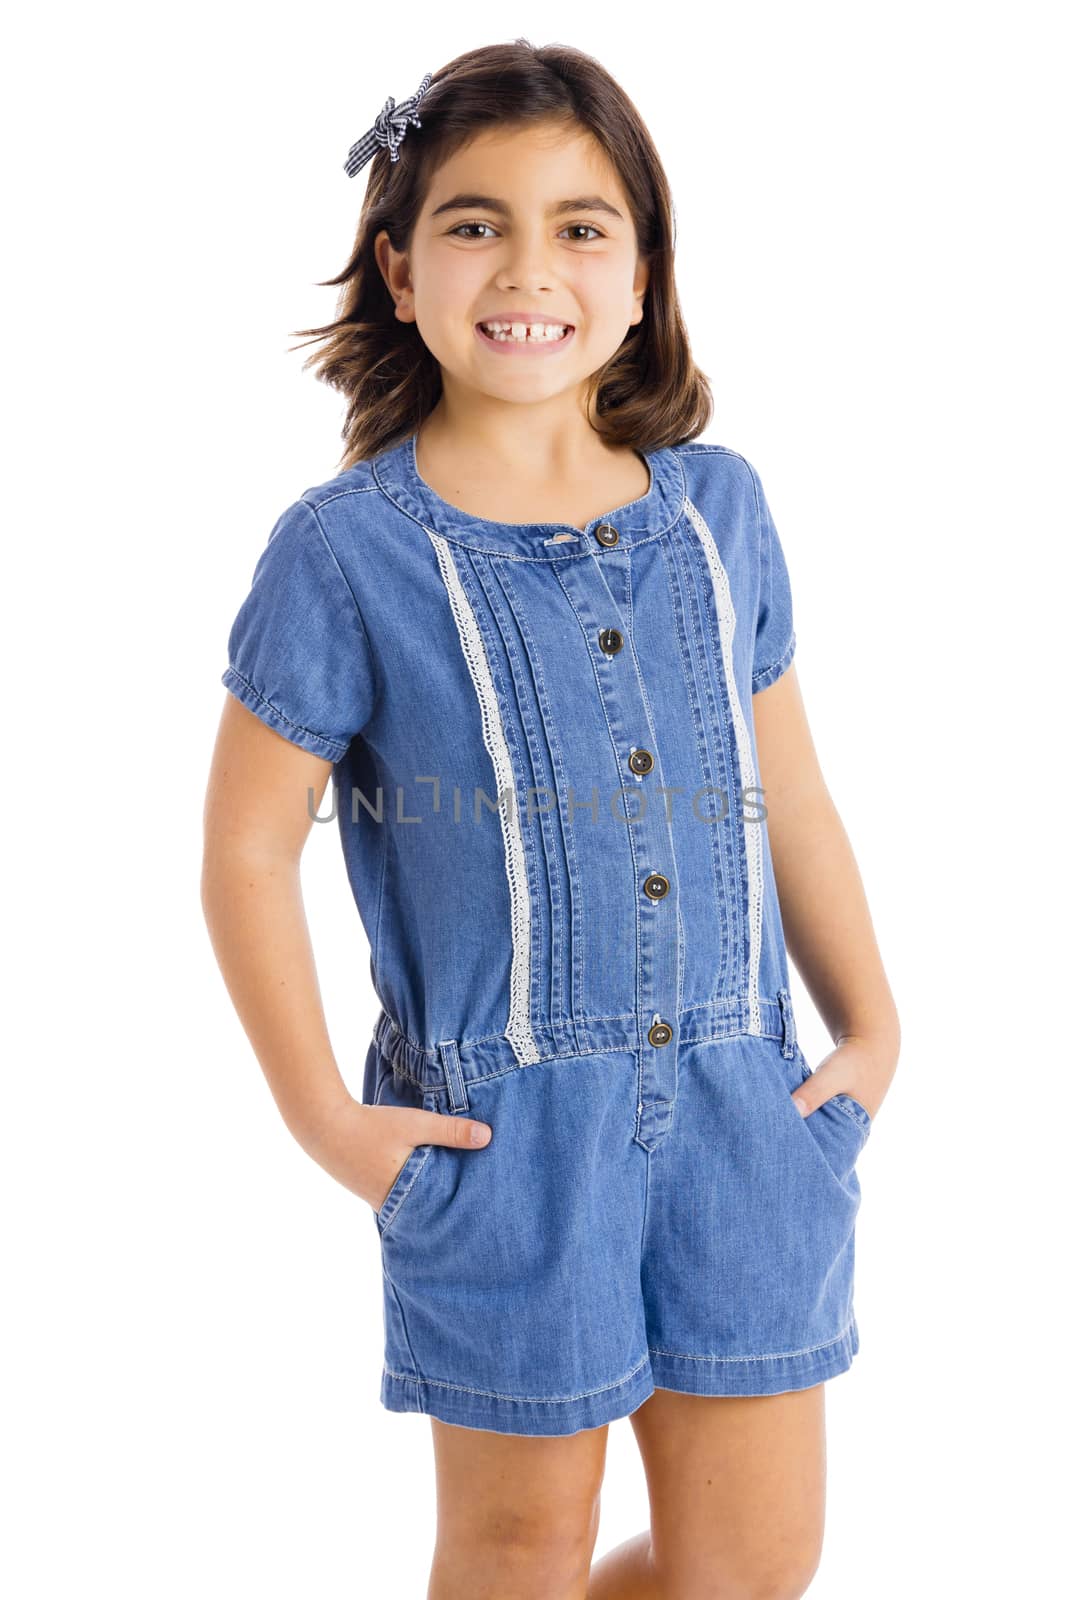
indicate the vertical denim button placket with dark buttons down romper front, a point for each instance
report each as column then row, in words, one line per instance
column 658, row 918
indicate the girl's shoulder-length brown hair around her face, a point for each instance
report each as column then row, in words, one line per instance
column 649, row 394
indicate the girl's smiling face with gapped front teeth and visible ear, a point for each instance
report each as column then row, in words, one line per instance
column 529, row 225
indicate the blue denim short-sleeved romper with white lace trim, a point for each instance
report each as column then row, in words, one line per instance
column 546, row 786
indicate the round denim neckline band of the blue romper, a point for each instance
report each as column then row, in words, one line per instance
column 650, row 514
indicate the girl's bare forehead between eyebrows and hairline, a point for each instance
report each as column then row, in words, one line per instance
column 541, row 164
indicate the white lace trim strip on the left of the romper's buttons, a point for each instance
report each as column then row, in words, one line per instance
column 519, row 1030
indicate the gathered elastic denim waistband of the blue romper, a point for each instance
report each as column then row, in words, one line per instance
column 454, row 1063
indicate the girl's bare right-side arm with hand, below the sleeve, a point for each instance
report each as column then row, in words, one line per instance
column 826, row 918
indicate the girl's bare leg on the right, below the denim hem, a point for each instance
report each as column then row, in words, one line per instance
column 737, row 1490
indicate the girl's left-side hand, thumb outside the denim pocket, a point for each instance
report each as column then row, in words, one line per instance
column 366, row 1146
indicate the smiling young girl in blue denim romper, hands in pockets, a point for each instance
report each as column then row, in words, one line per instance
column 543, row 642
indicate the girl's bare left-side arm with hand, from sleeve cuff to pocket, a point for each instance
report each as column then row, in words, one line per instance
column 257, row 822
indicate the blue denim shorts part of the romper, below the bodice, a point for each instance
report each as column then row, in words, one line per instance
column 586, row 1257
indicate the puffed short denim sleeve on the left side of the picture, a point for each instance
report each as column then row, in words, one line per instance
column 298, row 652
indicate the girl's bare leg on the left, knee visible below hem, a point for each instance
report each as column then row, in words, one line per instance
column 516, row 1518
